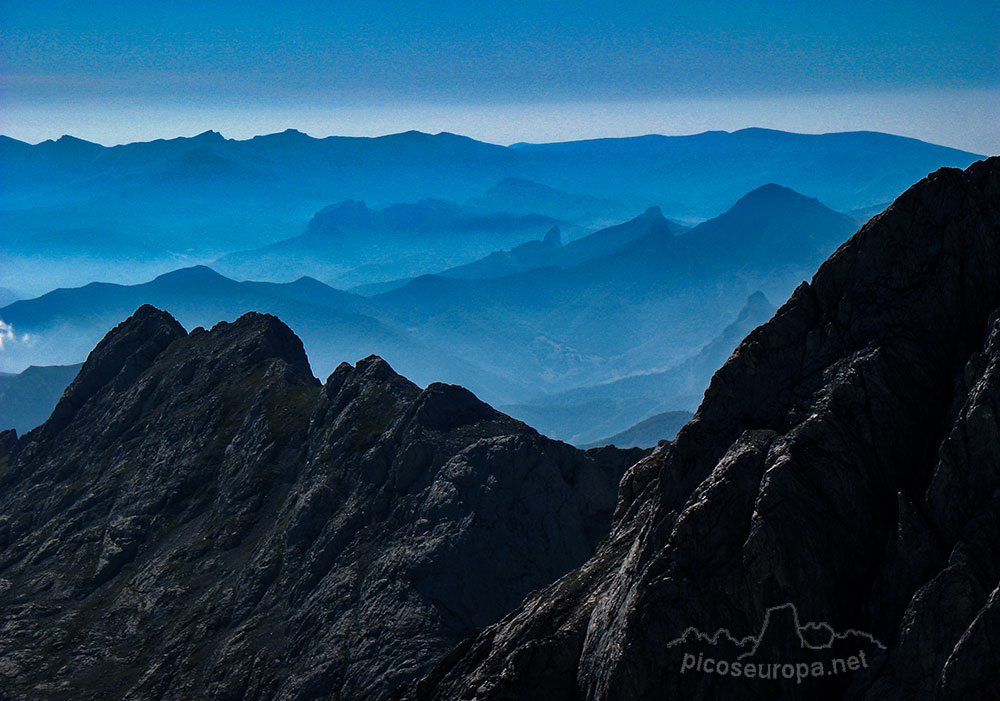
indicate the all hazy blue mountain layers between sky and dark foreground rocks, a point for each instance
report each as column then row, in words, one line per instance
column 546, row 292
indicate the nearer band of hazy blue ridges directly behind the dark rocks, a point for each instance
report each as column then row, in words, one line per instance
column 636, row 298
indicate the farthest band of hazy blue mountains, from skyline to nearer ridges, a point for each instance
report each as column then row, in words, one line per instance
column 72, row 211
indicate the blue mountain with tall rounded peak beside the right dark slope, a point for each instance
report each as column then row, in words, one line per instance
column 646, row 305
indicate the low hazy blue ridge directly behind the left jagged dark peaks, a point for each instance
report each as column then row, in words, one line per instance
column 65, row 324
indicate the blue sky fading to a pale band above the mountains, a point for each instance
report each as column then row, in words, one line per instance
column 499, row 70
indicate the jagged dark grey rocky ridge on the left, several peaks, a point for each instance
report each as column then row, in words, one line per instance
column 201, row 518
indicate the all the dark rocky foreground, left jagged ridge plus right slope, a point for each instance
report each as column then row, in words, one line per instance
column 201, row 517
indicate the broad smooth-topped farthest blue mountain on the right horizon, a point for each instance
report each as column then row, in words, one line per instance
column 698, row 176
